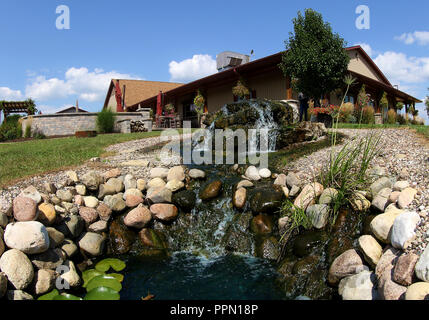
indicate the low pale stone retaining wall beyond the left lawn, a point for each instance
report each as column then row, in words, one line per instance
column 68, row 123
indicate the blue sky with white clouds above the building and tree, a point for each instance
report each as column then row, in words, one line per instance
column 179, row 40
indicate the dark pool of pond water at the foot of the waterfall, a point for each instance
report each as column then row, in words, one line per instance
column 188, row 277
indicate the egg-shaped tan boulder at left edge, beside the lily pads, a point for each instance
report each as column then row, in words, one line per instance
column 17, row 267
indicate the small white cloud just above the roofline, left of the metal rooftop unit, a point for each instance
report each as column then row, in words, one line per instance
column 192, row 69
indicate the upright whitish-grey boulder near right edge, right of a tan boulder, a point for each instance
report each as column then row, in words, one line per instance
column 403, row 229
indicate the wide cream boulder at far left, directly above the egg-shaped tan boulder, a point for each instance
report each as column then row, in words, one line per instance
column 29, row 237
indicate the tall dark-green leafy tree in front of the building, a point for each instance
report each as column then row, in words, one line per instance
column 315, row 57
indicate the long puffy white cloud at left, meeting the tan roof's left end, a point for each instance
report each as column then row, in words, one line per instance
column 79, row 82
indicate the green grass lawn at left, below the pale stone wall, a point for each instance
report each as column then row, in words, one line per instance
column 22, row 159
